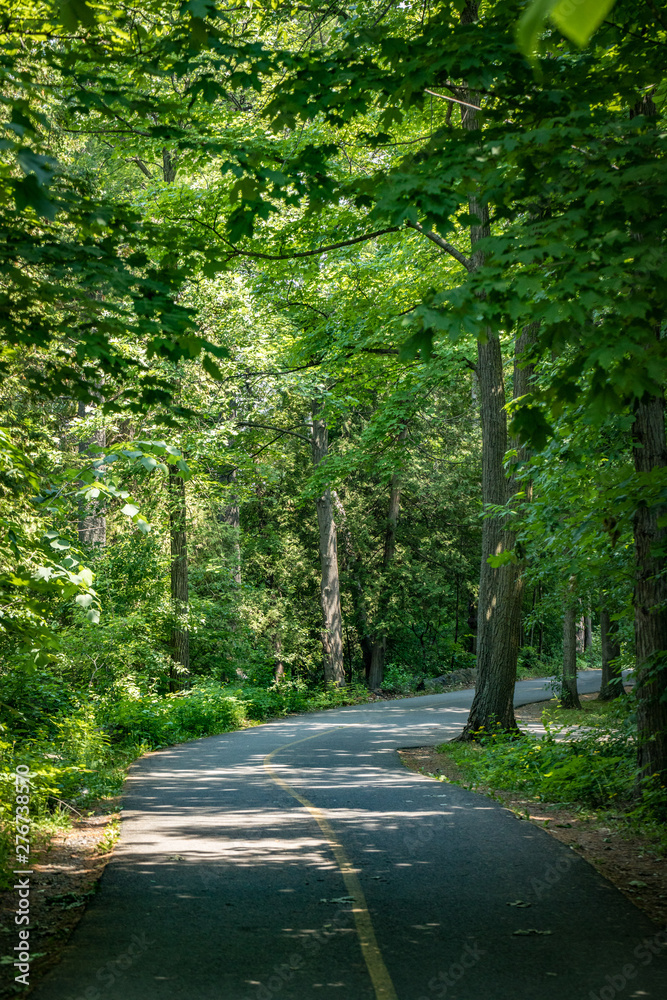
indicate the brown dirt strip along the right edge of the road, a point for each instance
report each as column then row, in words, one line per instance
column 627, row 860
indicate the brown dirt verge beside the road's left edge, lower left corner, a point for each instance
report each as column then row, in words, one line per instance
column 66, row 872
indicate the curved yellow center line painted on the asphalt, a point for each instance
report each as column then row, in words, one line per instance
column 382, row 984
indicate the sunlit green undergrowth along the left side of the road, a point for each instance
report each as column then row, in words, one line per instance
column 78, row 745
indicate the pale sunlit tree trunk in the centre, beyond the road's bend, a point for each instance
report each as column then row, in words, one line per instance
column 332, row 619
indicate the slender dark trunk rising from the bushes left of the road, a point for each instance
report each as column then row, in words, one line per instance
column 180, row 639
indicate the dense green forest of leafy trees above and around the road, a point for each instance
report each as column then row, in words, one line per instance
column 332, row 343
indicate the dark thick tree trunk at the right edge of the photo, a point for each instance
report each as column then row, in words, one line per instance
column 650, row 453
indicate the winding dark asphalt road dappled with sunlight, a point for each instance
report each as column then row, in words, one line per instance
column 300, row 860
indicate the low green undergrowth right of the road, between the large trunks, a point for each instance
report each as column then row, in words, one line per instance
column 586, row 759
